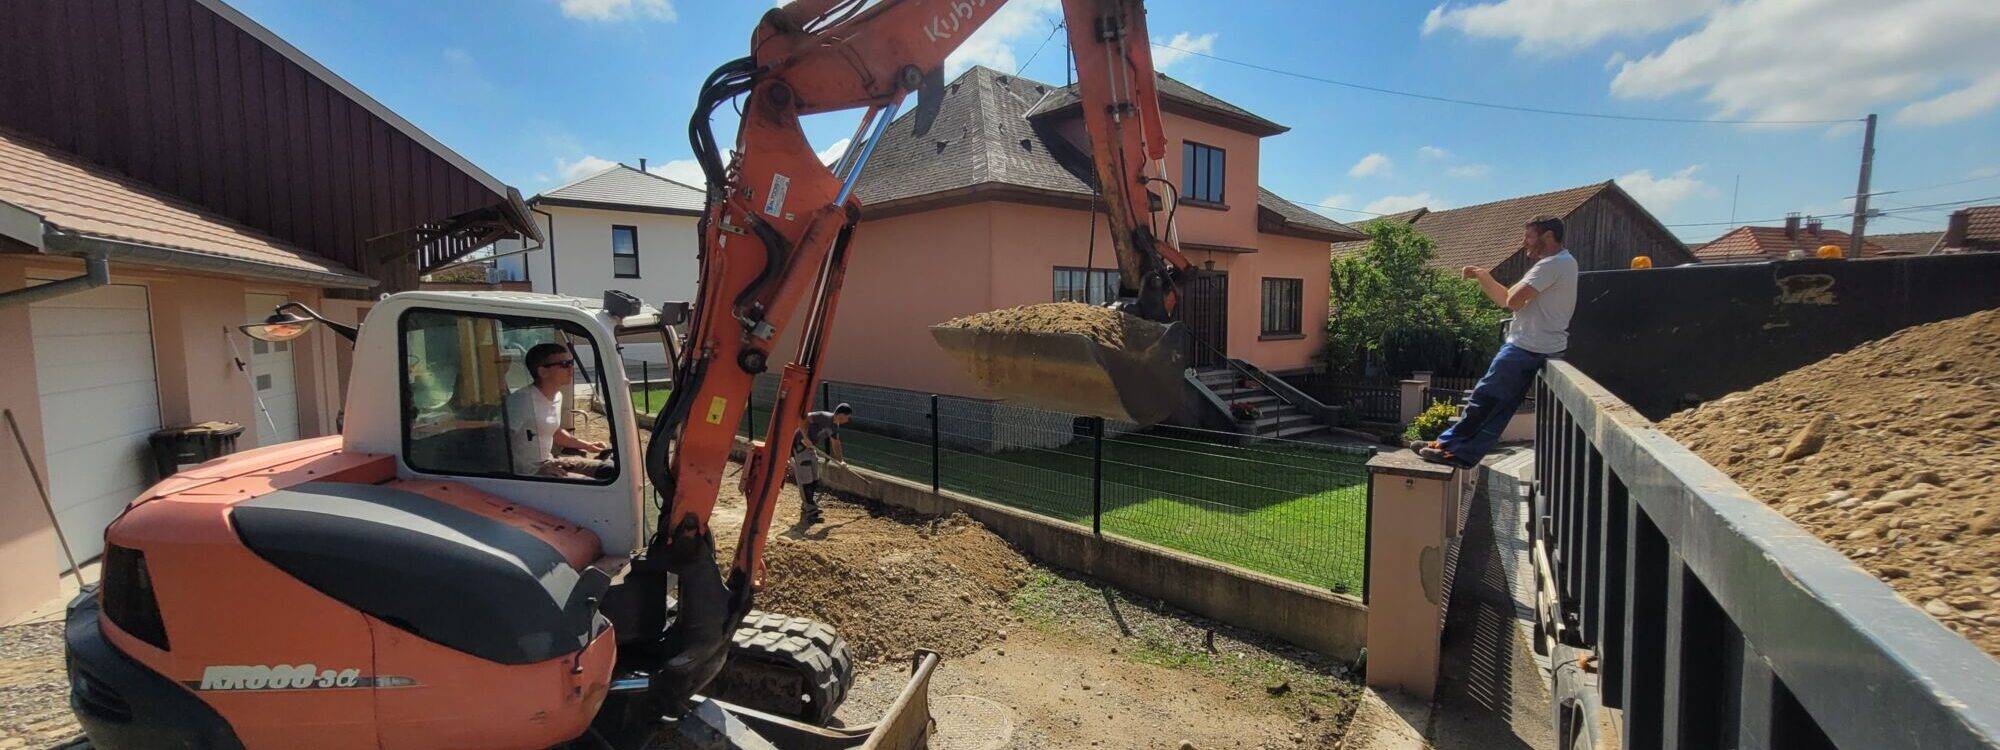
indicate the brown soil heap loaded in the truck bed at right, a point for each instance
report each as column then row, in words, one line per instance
column 1891, row 453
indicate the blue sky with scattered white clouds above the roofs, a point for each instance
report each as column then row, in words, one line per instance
column 541, row 91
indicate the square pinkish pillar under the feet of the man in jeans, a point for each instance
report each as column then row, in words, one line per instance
column 1411, row 517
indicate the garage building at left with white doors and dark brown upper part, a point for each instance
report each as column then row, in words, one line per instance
column 171, row 171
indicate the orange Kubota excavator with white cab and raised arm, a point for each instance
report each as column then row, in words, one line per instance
column 435, row 577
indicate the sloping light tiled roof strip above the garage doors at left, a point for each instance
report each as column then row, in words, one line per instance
column 89, row 209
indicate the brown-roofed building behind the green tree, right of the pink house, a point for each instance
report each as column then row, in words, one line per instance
column 1605, row 229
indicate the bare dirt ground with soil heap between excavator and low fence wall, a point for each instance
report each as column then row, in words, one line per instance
column 1035, row 659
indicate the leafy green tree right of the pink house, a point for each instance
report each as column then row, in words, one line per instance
column 1391, row 313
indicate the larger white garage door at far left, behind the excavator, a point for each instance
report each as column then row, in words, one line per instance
column 93, row 367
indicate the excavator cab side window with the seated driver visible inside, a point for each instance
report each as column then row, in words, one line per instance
column 475, row 405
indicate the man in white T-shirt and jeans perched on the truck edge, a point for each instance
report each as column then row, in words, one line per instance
column 1543, row 303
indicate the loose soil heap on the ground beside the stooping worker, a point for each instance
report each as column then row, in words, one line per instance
column 889, row 585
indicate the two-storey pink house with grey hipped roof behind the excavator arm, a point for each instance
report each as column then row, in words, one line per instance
column 991, row 209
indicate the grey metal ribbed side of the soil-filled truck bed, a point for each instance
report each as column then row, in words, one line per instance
column 1817, row 641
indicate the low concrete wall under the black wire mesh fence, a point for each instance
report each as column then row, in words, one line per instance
column 1301, row 615
